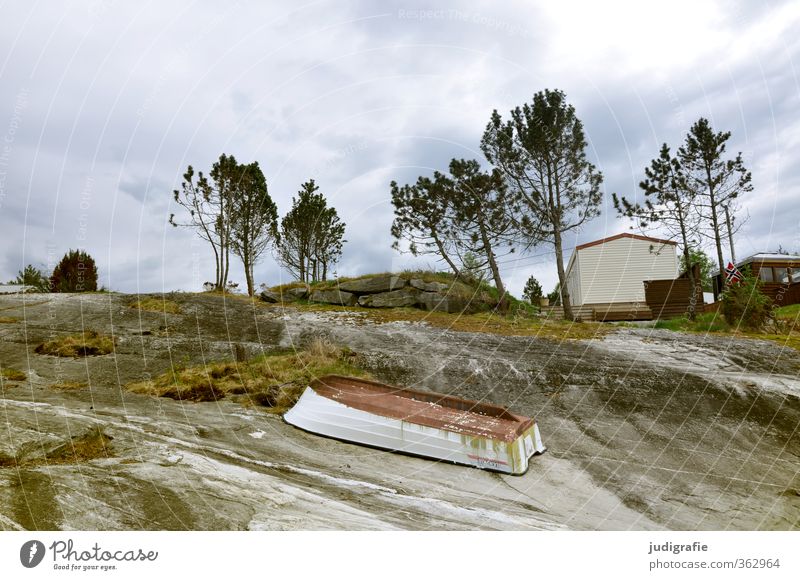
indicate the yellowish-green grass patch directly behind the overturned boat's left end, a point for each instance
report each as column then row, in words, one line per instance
column 274, row 381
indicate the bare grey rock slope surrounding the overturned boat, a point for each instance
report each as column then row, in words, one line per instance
column 646, row 429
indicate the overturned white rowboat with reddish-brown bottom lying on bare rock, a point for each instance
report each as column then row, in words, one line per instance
column 417, row 423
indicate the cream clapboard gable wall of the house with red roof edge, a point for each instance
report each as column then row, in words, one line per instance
column 614, row 271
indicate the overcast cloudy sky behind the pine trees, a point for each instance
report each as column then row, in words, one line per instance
column 104, row 104
